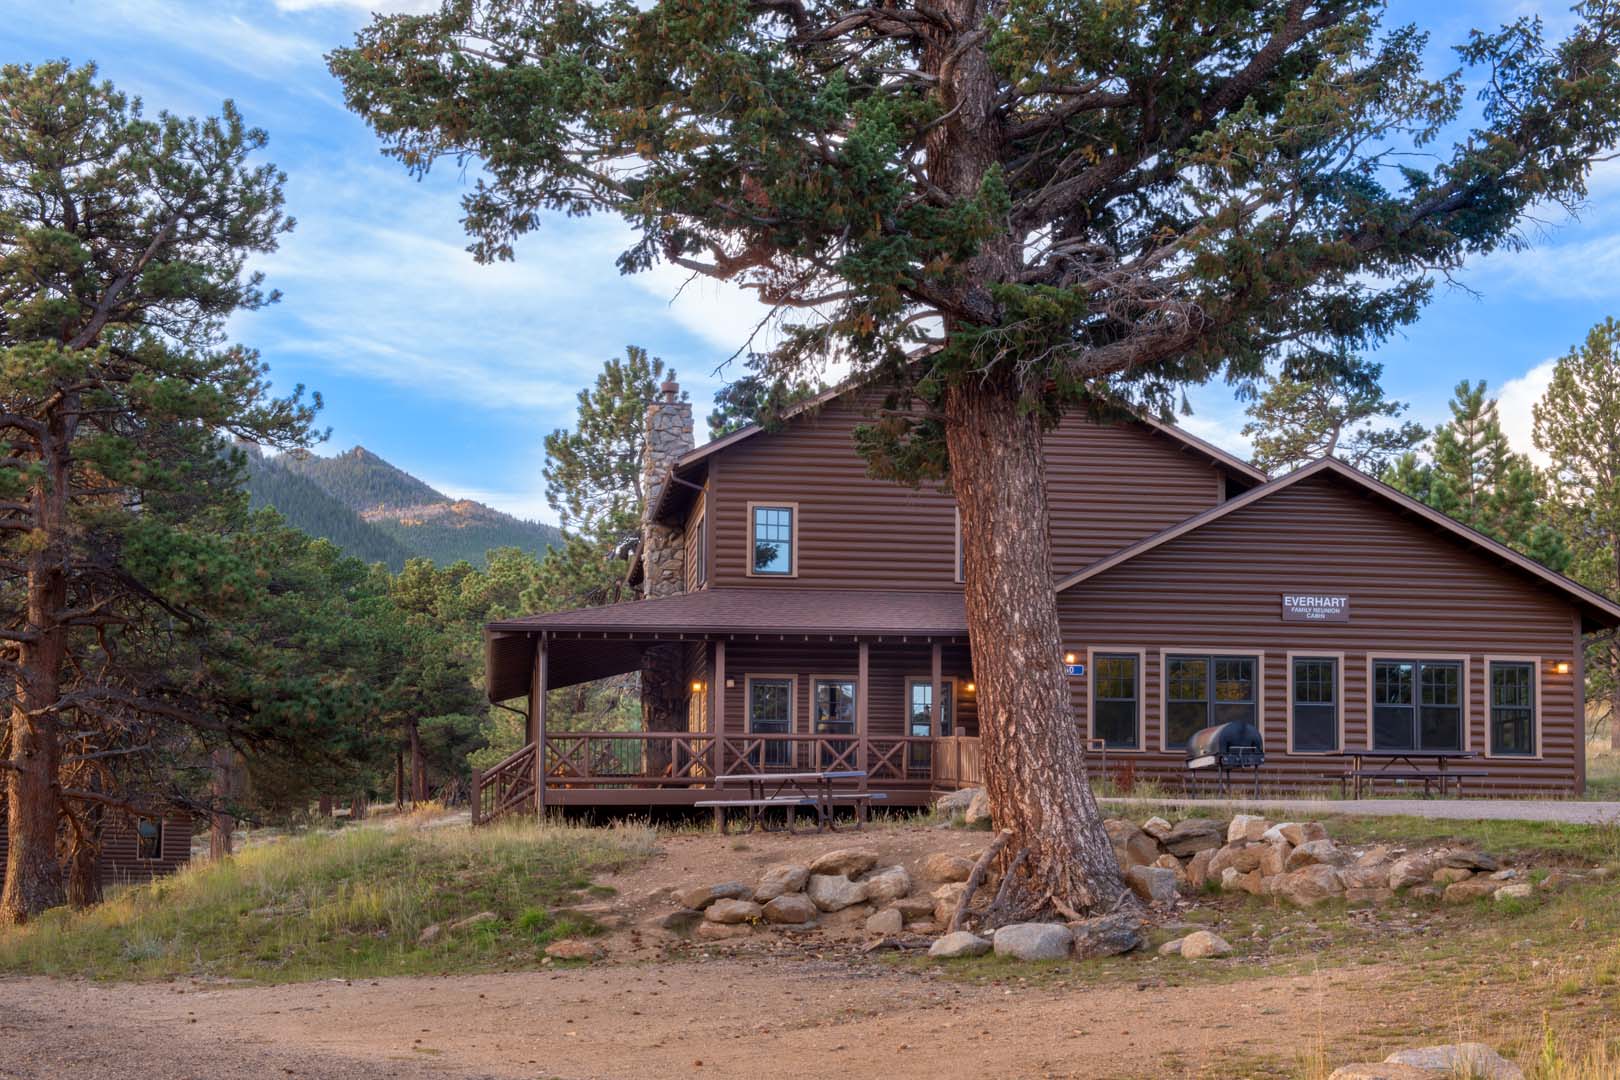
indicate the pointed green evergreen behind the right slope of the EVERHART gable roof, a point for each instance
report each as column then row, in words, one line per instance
column 1477, row 478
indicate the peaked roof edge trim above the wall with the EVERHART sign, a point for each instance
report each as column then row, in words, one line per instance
column 1593, row 605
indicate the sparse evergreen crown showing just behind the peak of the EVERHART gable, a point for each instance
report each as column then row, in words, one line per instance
column 1295, row 422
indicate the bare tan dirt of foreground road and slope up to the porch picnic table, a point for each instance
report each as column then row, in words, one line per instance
column 761, row 1010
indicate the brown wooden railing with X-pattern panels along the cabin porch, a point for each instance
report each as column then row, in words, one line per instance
column 673, row 760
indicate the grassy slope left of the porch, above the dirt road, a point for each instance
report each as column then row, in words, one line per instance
column 347, row 904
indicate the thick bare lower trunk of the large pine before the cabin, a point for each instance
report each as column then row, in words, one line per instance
column 1033, row 754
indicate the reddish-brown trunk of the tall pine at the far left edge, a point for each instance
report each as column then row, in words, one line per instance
column 33, row 877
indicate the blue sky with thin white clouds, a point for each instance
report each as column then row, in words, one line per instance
column 456, row 372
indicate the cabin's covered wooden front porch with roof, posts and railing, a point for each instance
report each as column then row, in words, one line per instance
column 775, row 681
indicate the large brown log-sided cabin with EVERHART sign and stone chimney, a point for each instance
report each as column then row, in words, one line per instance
column 821, row 624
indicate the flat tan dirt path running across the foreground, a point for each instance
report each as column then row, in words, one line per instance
column 762, row 1021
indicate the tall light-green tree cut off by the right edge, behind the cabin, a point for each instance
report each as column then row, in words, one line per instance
column 1579, row 427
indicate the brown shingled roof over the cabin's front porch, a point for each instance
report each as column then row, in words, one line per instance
column 599, row 642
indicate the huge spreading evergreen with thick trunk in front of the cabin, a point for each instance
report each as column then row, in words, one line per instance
column 1005, row 210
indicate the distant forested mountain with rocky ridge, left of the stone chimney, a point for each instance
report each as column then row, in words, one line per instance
column 386, row 512
